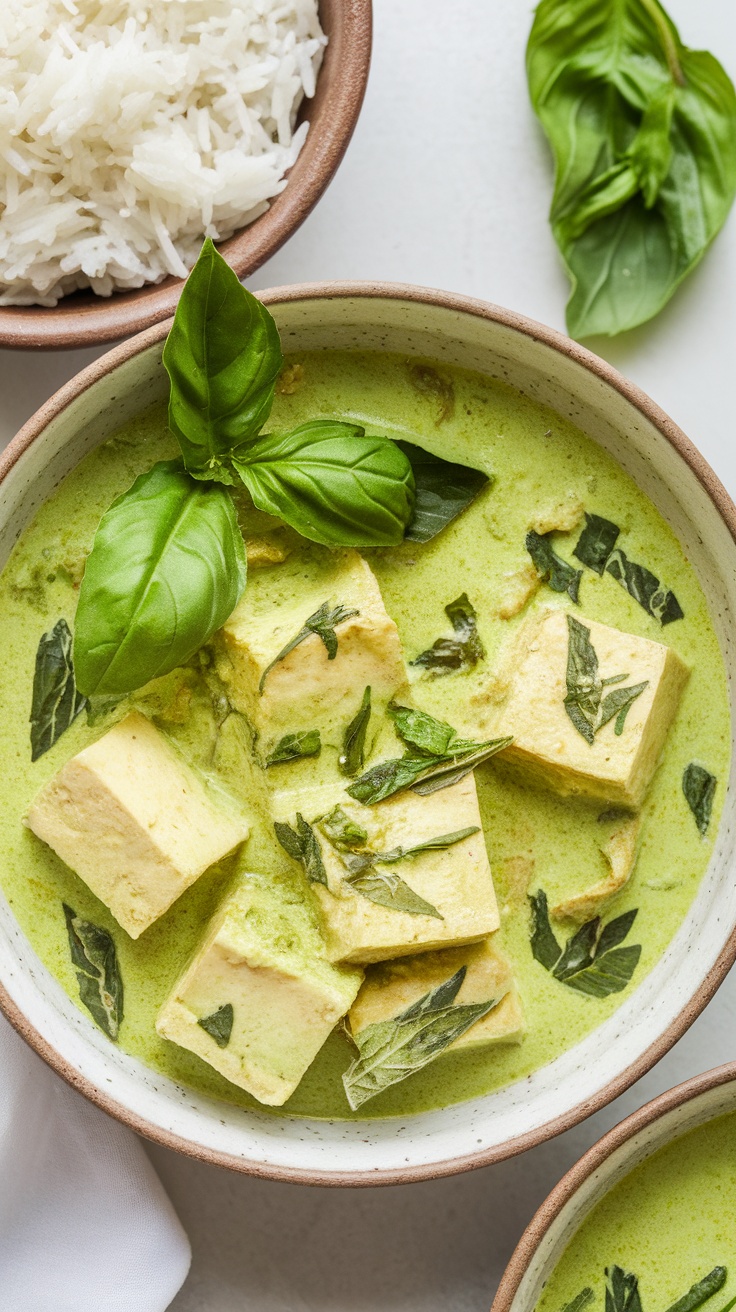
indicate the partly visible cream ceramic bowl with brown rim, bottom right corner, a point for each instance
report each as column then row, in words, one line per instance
column 615, row 1157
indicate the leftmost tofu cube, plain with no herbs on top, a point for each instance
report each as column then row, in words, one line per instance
column 134, row 822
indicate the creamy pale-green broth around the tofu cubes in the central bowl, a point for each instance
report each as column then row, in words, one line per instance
column 545, row 473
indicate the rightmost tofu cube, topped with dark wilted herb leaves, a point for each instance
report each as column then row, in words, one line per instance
column 616, row 767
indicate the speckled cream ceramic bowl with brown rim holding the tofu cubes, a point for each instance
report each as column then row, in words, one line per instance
column 558, row 373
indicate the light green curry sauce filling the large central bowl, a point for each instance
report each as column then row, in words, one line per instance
column 536, row 460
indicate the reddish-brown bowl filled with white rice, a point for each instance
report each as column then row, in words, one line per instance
column 133, row 129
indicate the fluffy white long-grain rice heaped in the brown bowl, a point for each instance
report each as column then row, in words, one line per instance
column 131, row 129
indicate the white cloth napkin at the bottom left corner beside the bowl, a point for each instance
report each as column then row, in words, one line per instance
column 85, row 1221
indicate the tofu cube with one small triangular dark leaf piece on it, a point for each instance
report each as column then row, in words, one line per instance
column 262, row 968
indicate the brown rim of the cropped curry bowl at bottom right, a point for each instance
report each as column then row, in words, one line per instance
column 591, row 1162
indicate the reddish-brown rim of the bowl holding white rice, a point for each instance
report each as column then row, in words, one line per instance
column 334, row 115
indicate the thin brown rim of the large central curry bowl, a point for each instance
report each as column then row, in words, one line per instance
column 600, row 368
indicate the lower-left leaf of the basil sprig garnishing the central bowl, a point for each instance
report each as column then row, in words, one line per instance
column 166, row 571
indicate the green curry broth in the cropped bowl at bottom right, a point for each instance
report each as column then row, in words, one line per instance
column 670, row 1223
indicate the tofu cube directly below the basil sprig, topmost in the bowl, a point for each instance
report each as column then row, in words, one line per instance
column 305, row 689
